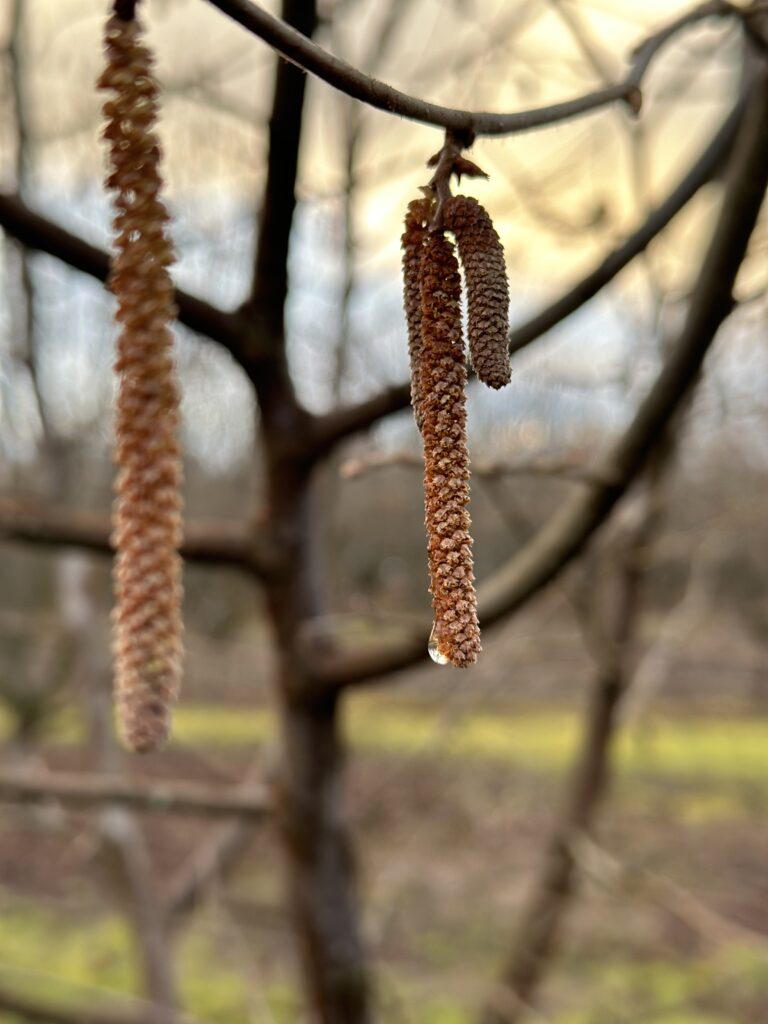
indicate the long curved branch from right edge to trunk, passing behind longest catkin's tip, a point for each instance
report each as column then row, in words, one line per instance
column 570, row 530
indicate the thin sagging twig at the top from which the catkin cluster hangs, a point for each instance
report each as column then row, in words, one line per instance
column 303, row 52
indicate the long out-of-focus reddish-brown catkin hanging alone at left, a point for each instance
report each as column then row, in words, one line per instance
column 148, row 521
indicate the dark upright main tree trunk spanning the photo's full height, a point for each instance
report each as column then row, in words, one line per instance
column 309, row 790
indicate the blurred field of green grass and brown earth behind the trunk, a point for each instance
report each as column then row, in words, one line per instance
column 450, row 807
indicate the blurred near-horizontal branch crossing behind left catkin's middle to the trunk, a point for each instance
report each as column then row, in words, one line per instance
column 215, row 544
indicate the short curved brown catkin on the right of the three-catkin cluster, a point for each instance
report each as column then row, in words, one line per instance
column 488, row 291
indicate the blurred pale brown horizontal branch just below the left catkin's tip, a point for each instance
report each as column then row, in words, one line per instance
column 156, row 798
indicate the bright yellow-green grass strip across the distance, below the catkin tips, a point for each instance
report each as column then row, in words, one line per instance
column 705, row 749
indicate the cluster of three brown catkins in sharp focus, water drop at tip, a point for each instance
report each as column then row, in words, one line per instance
column 433, row 293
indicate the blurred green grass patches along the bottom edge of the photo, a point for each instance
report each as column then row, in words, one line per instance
column 75, row 959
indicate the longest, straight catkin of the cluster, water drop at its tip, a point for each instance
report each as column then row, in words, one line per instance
column 443, row 378
